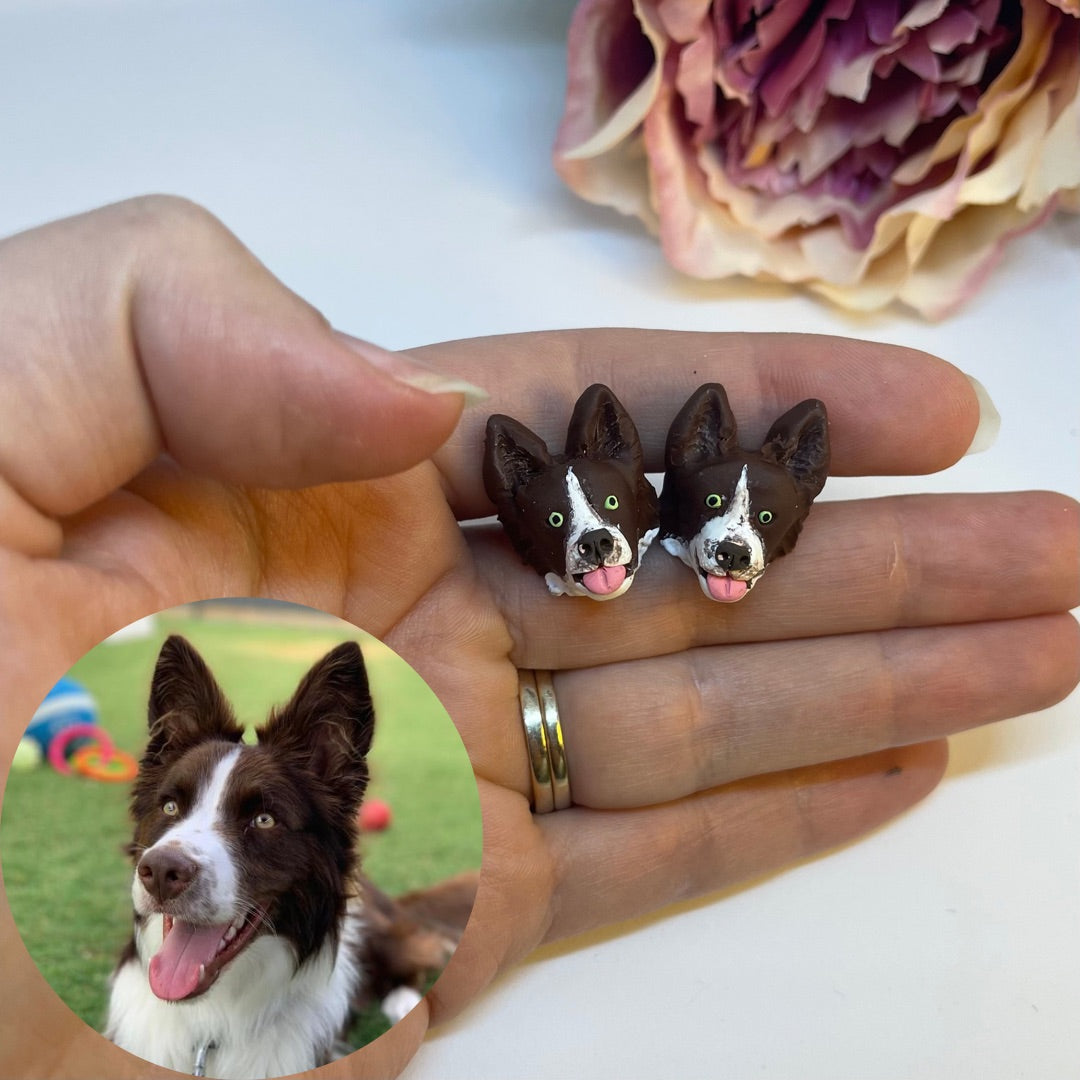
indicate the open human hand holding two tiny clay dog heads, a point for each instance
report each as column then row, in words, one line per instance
column 169, row 406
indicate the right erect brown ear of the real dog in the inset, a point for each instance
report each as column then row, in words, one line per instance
column 328, row 726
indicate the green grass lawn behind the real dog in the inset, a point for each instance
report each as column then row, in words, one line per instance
column 61, row 840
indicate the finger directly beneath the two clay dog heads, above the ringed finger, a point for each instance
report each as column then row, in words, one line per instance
column 910, row 561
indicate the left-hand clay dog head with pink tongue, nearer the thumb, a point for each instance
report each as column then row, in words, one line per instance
column 585, row 519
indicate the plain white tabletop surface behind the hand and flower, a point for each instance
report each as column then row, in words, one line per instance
column 390, row 161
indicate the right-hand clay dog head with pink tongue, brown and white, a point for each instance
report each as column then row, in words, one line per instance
column 727, row 512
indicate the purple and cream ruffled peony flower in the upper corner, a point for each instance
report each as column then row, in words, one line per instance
column 874, row 152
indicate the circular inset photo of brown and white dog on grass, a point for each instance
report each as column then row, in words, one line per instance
column 241, row 839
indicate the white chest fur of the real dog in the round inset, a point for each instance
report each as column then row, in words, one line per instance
column 264, row 1017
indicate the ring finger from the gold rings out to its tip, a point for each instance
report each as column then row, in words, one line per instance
column 655, row 731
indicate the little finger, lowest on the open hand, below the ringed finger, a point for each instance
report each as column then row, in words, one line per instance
column 622, row 865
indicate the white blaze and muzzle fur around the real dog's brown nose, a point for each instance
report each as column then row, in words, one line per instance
column 212, row 898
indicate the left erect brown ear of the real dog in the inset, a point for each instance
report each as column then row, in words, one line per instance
column 186, row 704
